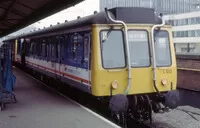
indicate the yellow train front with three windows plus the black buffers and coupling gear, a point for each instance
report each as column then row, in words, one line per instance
column 110, row 71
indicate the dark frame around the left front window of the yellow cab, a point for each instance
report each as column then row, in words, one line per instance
column 125, row 60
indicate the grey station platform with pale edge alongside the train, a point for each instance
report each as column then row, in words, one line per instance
column 39, row 107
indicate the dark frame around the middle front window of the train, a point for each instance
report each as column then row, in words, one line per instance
column 148, row 35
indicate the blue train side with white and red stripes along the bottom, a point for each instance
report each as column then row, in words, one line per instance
column 69, row 66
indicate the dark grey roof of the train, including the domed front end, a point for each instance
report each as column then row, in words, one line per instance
column 130, row 15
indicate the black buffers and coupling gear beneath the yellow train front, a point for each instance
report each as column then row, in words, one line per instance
column 141, row 107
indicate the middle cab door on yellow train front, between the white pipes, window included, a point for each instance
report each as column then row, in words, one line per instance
column 140, row 61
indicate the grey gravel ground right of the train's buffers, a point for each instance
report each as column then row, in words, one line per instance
column 181, row 117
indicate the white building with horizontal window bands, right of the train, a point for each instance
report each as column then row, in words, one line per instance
column 186, row 31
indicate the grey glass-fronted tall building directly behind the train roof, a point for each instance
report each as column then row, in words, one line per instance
column 164, row 6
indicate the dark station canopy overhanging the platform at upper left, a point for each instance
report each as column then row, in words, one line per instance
column 16, row 14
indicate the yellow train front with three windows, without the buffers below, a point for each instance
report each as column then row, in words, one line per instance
column 109, row 65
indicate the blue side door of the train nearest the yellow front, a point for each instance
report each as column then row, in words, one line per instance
column 81, row 56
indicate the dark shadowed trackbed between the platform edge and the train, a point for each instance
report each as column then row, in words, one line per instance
column 84, row 99
